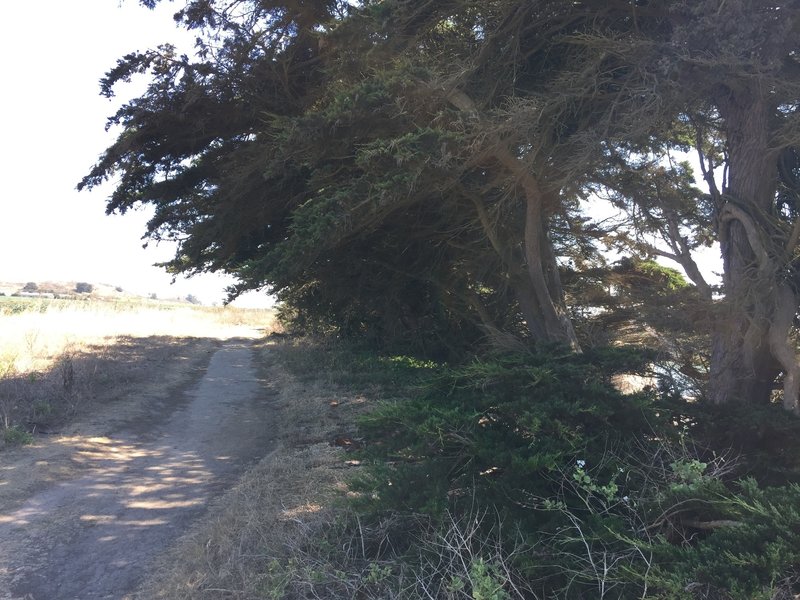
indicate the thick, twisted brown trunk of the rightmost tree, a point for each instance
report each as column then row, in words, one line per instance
column 750, row 342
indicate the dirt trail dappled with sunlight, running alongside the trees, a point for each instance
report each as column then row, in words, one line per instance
column 98, row 535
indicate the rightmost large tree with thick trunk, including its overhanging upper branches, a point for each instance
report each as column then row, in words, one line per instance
column 720, row 78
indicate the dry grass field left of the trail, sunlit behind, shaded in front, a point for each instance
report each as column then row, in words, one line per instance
column 56, row 356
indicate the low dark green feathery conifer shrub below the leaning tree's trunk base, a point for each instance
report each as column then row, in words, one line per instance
column 480, row 430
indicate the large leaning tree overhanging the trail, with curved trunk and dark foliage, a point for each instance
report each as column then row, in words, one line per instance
column 385, row 145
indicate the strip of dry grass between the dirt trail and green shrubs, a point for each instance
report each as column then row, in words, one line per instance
column 244, row 549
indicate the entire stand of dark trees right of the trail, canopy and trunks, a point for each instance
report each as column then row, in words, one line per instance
column 431, row 174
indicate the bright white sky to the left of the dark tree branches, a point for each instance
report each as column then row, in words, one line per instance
column 52, row 118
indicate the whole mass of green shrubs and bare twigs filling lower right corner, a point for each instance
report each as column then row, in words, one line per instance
column 609, row 494
